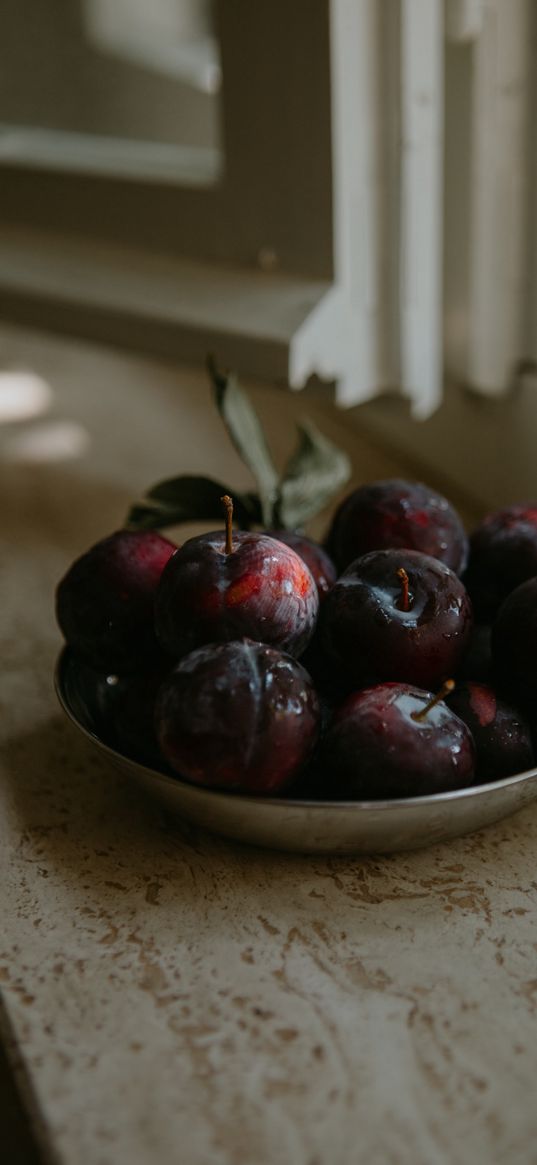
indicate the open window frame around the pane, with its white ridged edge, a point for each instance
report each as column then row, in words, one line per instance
column 279, row 232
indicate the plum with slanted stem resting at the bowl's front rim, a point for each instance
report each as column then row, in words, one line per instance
column 375, row 749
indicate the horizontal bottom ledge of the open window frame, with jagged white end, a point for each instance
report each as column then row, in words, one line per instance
column 172, row 307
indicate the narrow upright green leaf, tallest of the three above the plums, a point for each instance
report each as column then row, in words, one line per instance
column 249, row 437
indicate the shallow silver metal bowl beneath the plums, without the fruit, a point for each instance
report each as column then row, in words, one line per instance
column 302, row 827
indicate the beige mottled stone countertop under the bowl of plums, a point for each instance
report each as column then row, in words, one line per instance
column 174, row 998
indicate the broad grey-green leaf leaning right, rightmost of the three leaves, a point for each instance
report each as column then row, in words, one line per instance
column 316, row 471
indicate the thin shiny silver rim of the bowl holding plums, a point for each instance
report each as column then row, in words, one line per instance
column 218, row 796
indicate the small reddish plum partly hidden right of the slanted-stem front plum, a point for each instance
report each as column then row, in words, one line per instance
column 501, row 736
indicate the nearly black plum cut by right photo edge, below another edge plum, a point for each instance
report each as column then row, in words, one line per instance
column 515, row 644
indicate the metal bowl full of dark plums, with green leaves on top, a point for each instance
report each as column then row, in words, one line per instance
column 373, row 694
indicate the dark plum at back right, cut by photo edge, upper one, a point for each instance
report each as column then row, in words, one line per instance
column 503, row 555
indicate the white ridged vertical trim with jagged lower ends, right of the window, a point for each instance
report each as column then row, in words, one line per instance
column 435, row 168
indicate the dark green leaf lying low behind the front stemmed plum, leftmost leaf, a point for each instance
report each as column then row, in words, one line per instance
column 190, row 499
